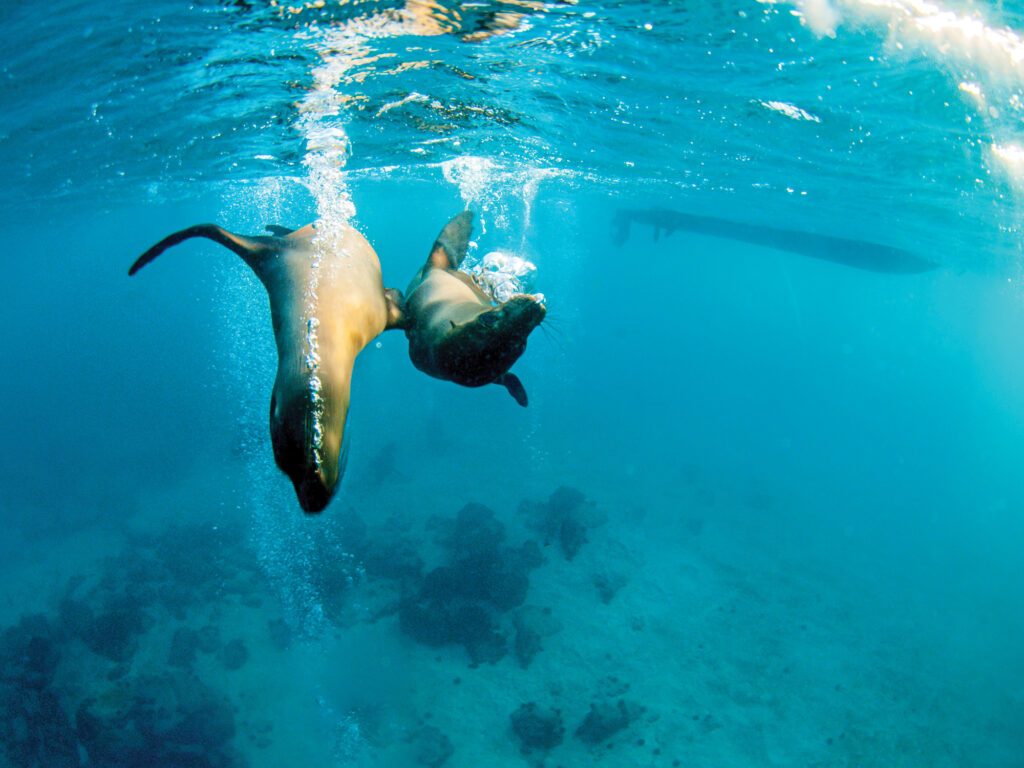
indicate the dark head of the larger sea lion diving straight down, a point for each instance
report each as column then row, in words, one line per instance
column 310, row 447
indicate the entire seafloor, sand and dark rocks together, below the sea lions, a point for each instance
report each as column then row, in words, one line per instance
column 559, row 627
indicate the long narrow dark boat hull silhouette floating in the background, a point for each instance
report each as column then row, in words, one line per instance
column 856, row 253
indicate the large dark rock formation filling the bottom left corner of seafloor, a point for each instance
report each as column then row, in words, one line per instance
column 123, row 719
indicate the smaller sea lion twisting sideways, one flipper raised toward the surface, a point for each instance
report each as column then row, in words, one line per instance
column 455, row 332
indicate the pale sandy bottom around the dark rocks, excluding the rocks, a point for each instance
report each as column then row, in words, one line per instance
column 729, row 646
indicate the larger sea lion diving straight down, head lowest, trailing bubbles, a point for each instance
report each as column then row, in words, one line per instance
column 326, row 306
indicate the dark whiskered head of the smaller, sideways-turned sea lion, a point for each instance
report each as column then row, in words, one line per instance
column 482, row 351
